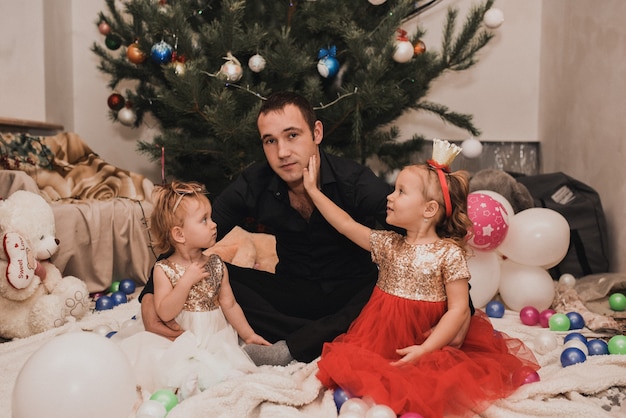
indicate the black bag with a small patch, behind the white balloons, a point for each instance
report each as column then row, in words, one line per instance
column 588, row 251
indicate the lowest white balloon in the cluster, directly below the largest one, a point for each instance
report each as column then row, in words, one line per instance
column 522, row 285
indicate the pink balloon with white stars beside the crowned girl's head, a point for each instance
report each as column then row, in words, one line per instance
column 490, row 219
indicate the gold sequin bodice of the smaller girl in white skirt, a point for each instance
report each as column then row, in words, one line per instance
column 203, row 295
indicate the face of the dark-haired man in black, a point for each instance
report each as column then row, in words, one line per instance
column 288, row 142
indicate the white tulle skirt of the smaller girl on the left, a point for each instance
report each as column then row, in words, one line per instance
column 207, row 353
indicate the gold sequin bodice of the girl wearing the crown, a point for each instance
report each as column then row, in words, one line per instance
column 416, row 272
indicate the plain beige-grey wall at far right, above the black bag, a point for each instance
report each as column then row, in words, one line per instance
column 583, row 100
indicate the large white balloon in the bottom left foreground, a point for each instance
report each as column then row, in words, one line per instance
column 79, row 374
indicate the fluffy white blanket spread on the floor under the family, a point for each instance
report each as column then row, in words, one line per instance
column 592, row 389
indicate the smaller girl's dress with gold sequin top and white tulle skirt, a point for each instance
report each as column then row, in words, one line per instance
column 207, row 353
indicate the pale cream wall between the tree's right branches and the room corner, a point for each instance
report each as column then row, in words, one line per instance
column 502, row 90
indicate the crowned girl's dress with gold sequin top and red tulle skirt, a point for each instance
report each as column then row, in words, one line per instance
column 408, row 300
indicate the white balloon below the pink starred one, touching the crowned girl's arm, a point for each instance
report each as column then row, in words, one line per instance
column 484, row 267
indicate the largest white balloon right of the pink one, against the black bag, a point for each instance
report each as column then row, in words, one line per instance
column 536, row 237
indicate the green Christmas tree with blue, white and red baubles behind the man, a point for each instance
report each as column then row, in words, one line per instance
column 203, row 67
